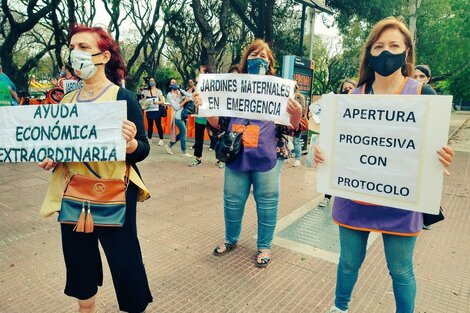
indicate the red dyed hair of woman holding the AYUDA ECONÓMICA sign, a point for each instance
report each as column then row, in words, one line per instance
column 116, row 69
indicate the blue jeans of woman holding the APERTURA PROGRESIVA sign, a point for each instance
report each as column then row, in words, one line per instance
column 399, row 256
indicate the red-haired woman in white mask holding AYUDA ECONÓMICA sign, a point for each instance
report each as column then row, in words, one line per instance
column 96, row 59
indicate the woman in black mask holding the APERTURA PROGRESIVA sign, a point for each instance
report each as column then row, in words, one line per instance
column 386, row 68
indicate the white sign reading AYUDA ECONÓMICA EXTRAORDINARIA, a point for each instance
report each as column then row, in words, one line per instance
column 90, row 132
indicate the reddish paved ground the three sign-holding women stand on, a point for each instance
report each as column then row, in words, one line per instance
column 183, row 221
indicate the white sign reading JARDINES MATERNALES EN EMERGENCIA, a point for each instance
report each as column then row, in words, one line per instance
column 261, row 97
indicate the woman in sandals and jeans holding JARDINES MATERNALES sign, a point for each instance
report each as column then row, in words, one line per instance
column 259, row 162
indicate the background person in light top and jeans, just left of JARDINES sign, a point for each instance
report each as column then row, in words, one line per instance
column 177, row 99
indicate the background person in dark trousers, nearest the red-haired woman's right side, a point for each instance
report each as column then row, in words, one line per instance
column 156, row 99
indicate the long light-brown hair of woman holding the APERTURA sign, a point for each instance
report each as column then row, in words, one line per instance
column 366, row 74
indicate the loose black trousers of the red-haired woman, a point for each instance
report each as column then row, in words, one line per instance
column 122, row 249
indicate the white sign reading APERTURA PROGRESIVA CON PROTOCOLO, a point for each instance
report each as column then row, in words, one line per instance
column 381, row 149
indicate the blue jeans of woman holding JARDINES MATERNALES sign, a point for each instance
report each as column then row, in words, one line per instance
column 266, row 187
